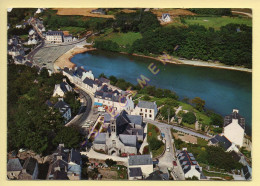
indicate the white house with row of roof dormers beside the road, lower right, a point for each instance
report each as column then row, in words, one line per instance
column 189, row 165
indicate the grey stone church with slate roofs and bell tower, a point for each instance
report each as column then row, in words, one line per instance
column 124, row 135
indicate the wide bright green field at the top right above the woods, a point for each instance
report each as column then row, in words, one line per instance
column 217, row 22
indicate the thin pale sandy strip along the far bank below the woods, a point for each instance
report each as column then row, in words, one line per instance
column 194, row 63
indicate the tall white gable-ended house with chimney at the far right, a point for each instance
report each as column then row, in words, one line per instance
column 234, row 128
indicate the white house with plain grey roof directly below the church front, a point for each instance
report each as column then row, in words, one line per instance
column 139, row 165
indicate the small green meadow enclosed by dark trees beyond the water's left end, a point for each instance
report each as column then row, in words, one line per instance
column 122, row 38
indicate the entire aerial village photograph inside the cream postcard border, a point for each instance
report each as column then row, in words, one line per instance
column 129, row 94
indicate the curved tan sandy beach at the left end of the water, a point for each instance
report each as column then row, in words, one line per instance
column 65, row 60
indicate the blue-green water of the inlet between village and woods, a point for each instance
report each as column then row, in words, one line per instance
column 222, row 89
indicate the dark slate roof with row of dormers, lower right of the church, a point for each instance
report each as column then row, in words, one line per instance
column 187, row 160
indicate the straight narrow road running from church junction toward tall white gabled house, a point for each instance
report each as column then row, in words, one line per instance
column 187, row 131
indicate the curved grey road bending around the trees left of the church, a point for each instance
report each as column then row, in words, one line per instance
column 84, row 110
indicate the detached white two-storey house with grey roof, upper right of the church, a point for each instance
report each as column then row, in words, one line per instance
column 146, row 109
